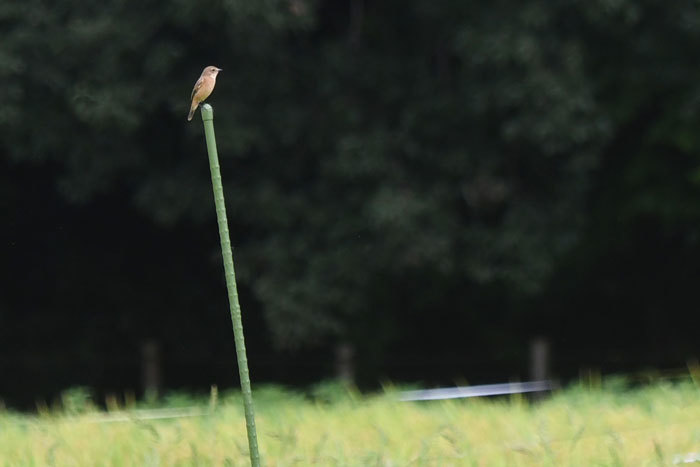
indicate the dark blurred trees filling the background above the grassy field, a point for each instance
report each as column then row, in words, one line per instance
column 408, row 177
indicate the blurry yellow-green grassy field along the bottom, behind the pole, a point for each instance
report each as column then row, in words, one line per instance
column 656, row 425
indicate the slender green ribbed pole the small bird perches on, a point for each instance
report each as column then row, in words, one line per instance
column 208, row 118
